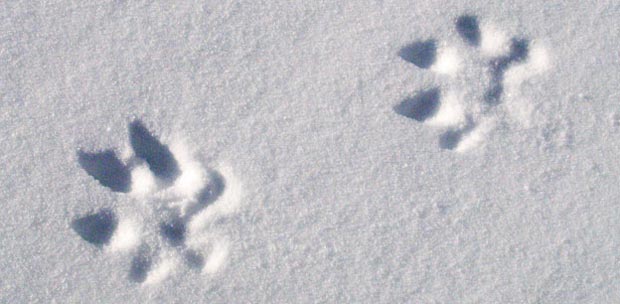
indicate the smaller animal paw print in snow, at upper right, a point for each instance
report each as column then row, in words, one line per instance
column 465, row 112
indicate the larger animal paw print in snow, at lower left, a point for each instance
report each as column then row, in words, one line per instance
column 175, row 198
